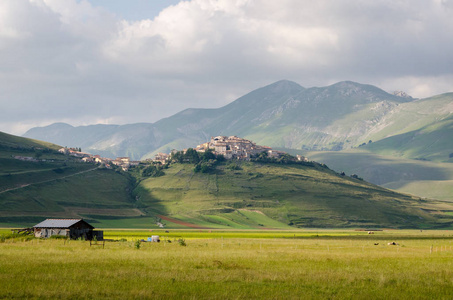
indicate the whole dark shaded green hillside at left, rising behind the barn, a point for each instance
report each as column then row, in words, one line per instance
column 55, row 185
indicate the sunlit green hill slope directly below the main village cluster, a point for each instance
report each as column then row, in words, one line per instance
column 298, row 195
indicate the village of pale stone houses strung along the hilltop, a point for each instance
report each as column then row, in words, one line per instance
column 230, row 147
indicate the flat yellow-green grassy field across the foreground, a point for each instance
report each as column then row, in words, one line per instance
column 232, row 265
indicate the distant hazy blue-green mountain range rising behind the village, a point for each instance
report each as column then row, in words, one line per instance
column 283, row 114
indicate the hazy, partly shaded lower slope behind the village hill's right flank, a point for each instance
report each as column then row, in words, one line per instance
column 427, row 179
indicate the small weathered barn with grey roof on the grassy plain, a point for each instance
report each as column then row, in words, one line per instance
column 71, row 228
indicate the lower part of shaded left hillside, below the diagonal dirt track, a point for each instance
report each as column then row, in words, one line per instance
column 100, row 192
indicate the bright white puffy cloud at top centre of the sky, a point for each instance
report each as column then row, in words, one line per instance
column 197, row 36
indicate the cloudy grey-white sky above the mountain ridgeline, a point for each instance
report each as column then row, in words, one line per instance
column 88, row 62
